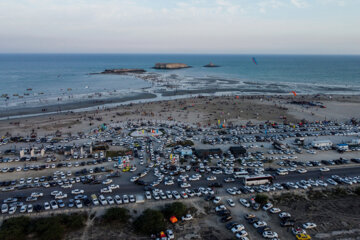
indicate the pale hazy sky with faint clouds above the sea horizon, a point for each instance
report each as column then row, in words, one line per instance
column 186, row 26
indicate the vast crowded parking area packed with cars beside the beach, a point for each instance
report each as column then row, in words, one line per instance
column 136, row 162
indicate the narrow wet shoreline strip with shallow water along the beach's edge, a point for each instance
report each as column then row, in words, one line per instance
column 158, row 96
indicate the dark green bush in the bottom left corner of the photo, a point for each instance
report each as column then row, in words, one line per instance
column 15, row 228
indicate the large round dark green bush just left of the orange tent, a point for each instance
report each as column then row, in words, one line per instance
column 150, row 222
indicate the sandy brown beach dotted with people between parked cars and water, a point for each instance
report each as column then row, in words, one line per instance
column 197, row 110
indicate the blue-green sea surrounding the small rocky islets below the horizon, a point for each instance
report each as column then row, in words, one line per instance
column 41, row 79
